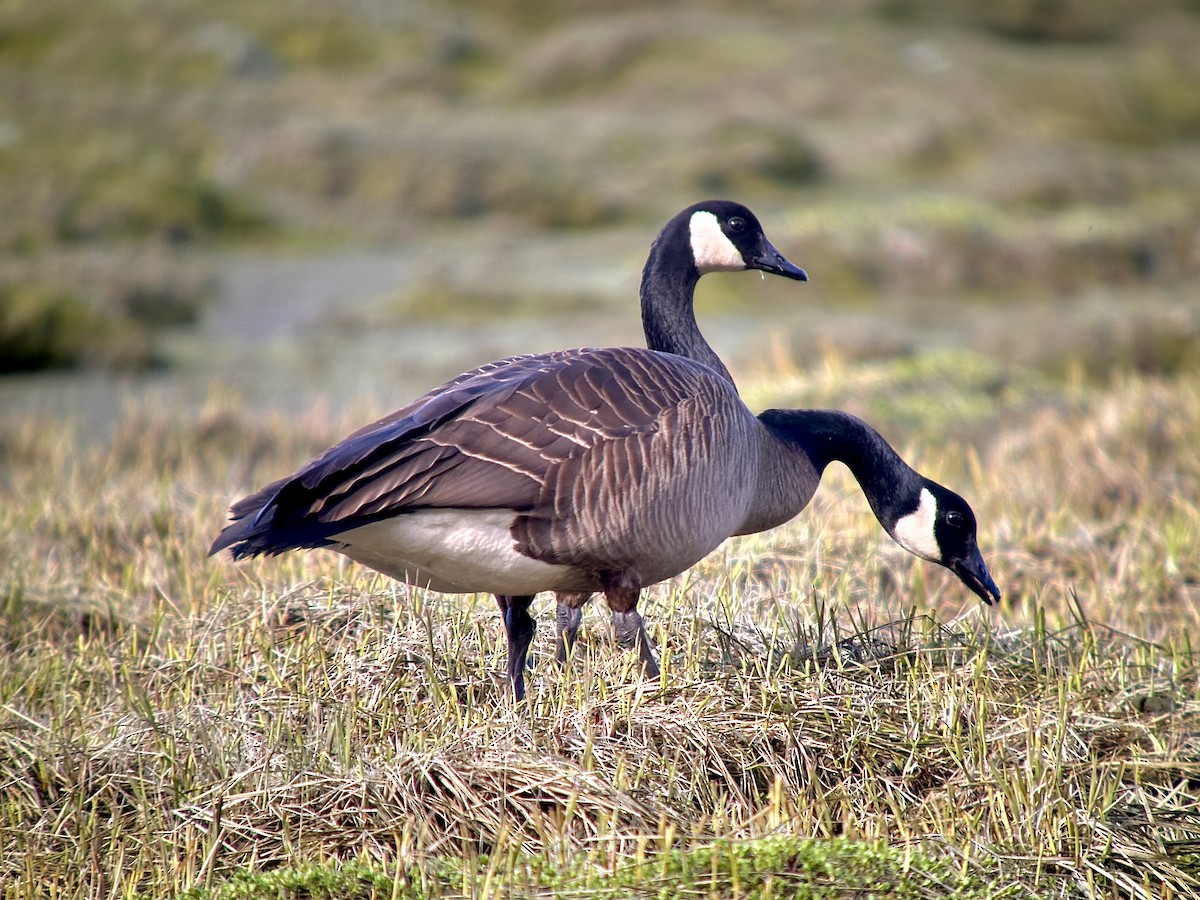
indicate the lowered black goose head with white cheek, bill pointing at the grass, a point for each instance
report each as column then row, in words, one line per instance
column 941, row 527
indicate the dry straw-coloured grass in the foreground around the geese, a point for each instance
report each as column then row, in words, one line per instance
column 169, row 722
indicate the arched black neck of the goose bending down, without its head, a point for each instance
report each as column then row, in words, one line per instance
column 826, row 436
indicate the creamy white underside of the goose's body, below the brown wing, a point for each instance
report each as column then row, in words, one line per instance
column 457, row 551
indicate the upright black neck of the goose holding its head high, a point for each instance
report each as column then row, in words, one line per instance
column 669, row 319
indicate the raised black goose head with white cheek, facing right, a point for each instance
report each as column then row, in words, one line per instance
column 728, row 237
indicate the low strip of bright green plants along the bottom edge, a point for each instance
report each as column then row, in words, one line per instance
column 765, row 868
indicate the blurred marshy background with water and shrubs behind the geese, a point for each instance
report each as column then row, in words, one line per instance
column 304, row 202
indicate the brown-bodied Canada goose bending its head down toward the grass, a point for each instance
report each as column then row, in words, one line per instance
column 580, row 471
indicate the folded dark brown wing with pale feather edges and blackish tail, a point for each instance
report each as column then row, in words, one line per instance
column 493, row 439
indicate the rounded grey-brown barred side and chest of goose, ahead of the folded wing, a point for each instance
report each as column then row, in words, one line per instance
column 680, row 488
